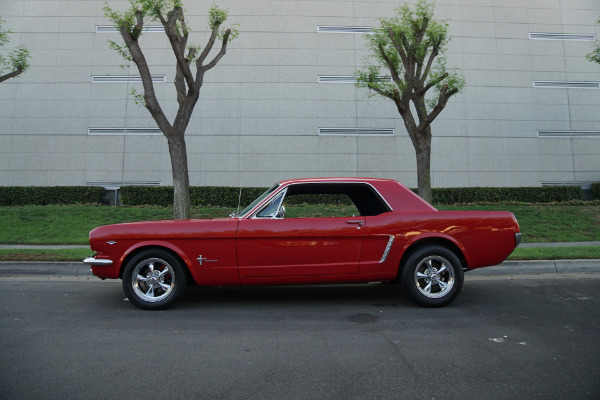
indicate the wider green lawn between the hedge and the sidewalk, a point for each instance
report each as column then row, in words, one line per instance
column 71, row 224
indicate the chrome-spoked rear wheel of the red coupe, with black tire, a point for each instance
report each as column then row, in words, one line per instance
column 432, row 276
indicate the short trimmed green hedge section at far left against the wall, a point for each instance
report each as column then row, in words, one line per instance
column 46, row 195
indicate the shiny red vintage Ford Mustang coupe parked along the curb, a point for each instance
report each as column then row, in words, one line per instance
column 389, row 234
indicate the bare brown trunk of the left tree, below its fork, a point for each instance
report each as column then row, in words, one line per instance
column 181, row 180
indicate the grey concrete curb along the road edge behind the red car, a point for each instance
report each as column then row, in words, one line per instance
column 558, row 267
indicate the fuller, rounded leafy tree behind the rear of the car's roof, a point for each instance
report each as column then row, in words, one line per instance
column 410, row 47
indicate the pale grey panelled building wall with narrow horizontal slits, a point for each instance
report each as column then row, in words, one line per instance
column 262, row 107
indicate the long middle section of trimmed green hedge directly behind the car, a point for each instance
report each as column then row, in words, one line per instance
column 218, row 196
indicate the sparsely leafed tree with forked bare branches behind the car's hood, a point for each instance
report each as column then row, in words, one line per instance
column 190, row 65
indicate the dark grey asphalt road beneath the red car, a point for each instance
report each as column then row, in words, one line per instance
column 534, row 338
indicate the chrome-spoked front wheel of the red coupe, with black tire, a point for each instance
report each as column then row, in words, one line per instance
column 154, row 279
